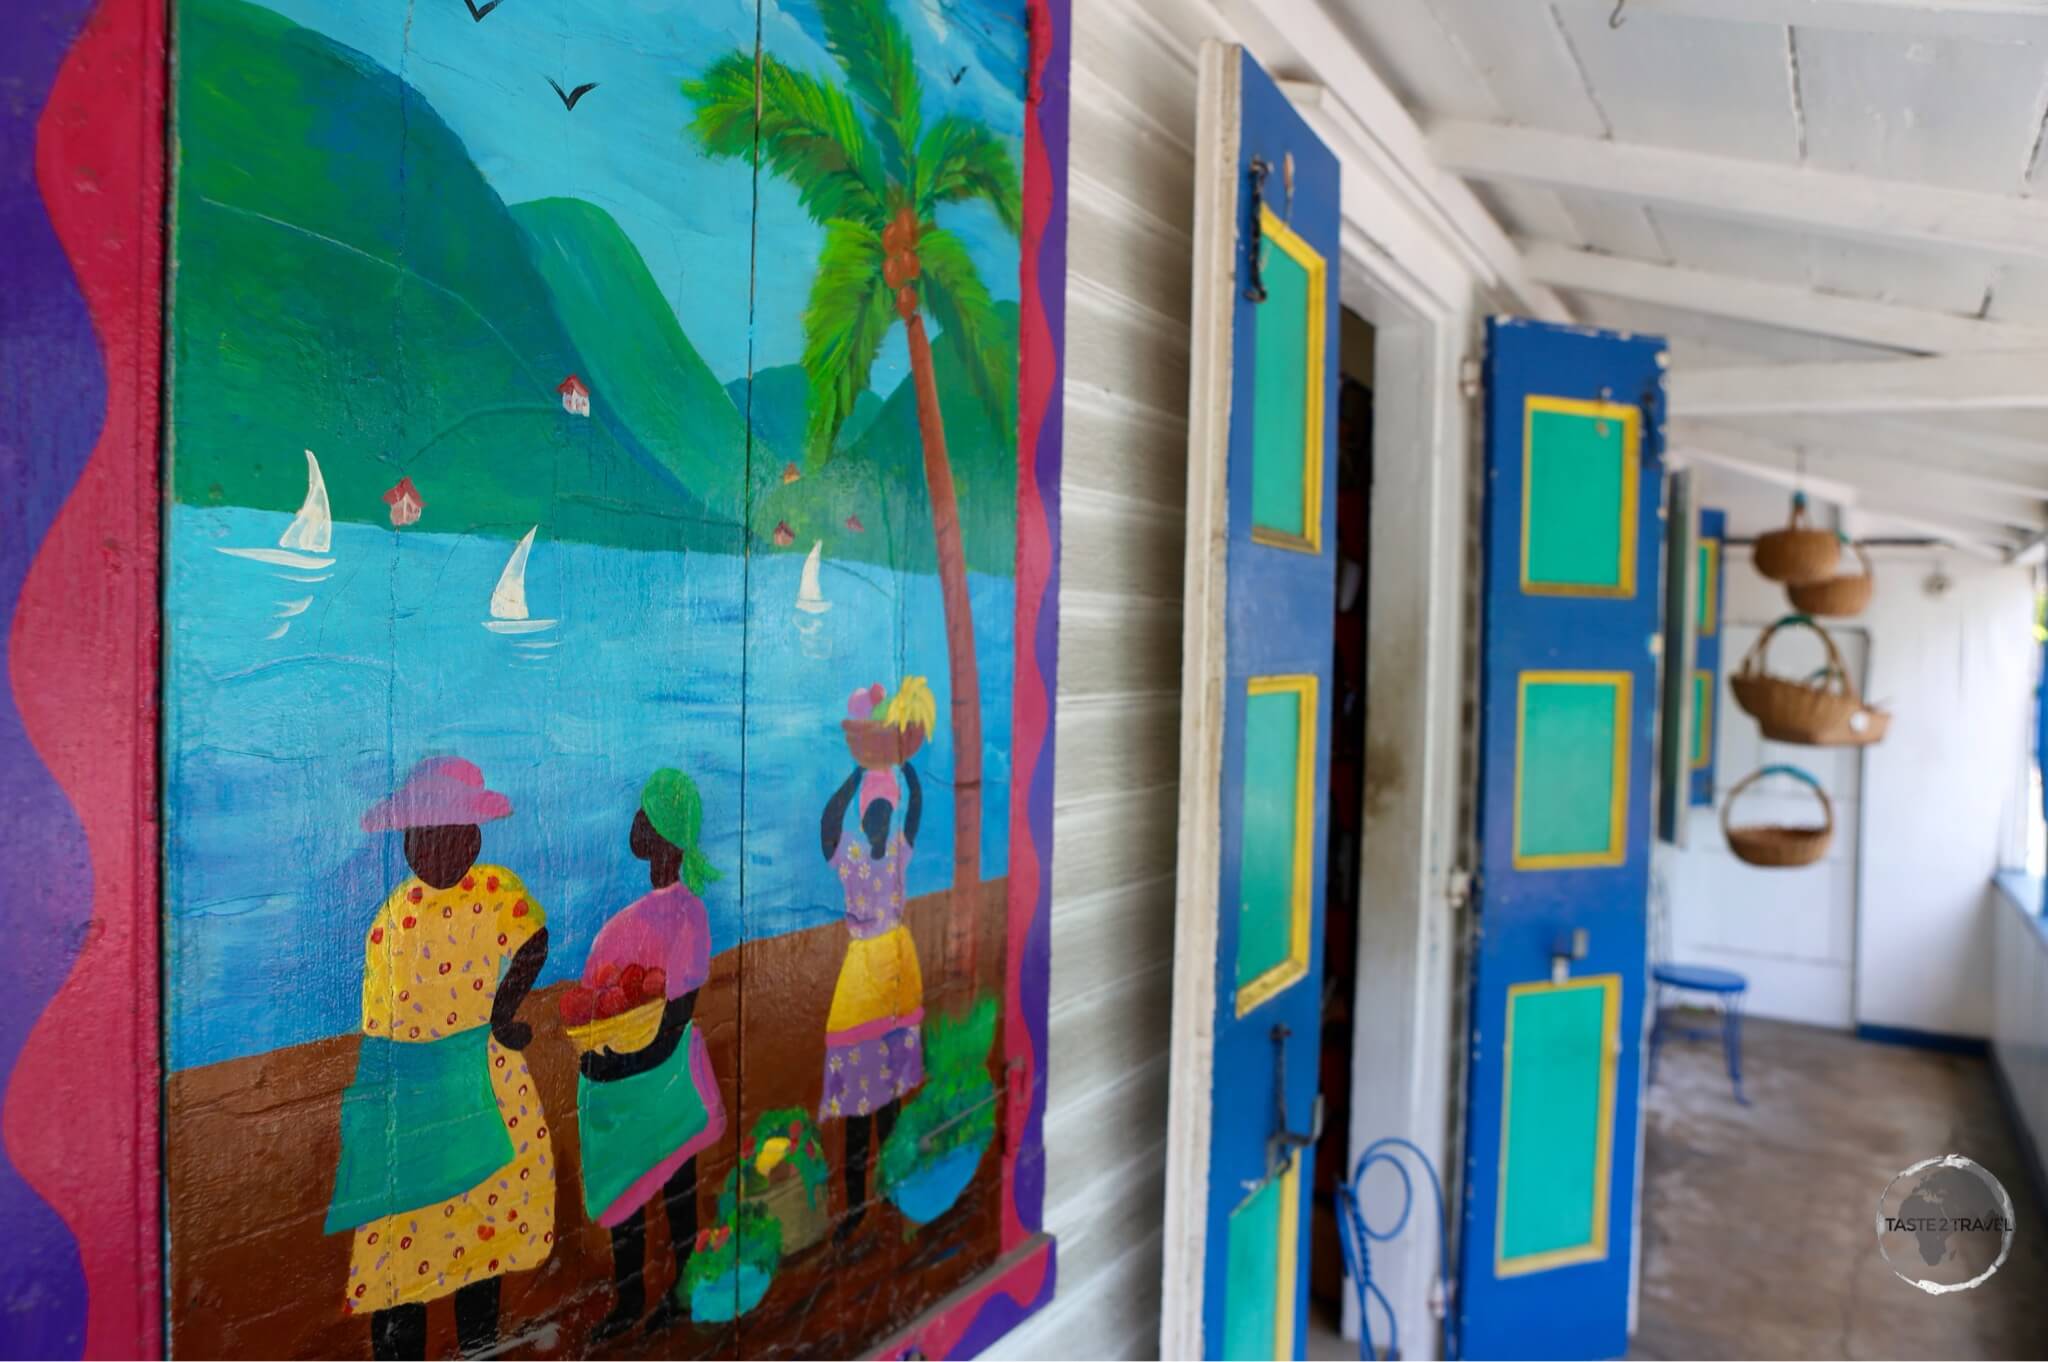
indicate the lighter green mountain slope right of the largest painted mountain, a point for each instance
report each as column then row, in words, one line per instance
column 634, row 349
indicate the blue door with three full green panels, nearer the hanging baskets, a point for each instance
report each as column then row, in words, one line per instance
column 1574, row 540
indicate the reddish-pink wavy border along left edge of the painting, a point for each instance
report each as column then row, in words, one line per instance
column 83, row 1105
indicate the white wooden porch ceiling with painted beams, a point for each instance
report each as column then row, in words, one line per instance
column 1836, row 210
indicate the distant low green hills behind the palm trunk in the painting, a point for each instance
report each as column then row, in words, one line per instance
column 880, row 476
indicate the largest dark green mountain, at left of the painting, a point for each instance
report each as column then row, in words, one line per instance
column 384, row 312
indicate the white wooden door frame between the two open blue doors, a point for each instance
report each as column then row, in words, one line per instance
column 1408, row 1017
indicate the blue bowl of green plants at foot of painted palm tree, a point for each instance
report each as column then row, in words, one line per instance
column 937, row 1144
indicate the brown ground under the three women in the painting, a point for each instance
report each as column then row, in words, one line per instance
column 253, row 1148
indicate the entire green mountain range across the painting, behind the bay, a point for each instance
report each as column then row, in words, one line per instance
column 394, row 316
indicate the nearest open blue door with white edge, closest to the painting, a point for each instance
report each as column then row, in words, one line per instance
column 1256, row 724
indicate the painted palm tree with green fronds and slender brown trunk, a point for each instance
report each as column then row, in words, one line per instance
column 869, row 169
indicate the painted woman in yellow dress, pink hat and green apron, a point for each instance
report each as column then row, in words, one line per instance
column 447, row 1175
